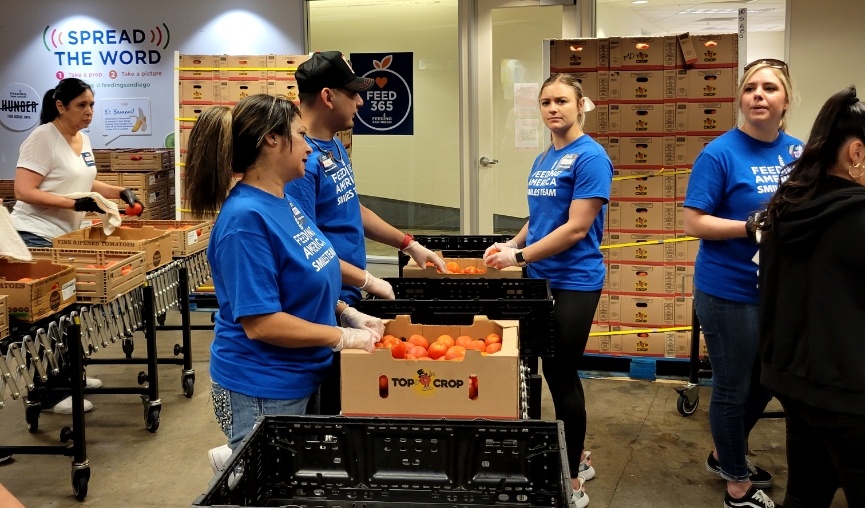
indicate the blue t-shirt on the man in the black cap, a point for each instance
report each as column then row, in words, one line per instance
column 328, row 195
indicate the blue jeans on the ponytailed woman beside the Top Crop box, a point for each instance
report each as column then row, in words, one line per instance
column 236, row 413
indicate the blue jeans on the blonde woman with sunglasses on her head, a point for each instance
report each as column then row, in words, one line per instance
column 738, row 399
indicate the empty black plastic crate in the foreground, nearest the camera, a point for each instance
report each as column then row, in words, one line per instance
column 312, row 461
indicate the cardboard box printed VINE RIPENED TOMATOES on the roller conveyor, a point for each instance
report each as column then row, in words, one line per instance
column 155, row 243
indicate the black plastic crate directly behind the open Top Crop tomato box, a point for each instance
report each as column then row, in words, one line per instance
column 457, row 301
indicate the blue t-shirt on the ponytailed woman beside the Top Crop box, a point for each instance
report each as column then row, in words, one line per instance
column 267, row 257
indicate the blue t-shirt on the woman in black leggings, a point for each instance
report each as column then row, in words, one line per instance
column 581, row 170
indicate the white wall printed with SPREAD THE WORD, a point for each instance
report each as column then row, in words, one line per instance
column 193, row 27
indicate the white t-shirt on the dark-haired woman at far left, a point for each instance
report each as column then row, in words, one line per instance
column 46, row 152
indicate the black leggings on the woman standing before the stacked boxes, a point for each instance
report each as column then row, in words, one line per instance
column 573, row 313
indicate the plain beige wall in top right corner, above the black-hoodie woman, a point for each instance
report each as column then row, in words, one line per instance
column 825, row 55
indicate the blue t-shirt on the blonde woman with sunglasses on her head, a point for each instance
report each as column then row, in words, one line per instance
column 733, row 177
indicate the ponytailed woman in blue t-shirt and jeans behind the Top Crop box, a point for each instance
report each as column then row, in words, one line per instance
column 277, row 278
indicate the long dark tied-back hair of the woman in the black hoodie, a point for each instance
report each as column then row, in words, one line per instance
column 842, row 117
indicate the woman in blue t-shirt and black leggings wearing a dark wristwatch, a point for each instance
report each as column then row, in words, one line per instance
column 568, row 186
